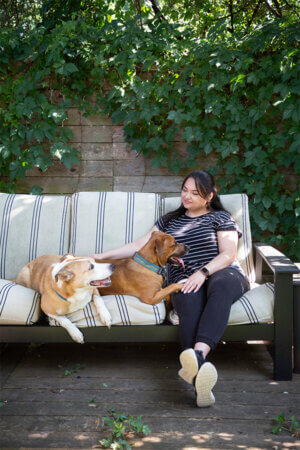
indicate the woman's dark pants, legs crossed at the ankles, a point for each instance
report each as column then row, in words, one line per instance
column 203, row 315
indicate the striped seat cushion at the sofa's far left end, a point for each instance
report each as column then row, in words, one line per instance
column 18, row 305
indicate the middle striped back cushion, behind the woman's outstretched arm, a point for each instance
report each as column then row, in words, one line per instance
column 106, row 220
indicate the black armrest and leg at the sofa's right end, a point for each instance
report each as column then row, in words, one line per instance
column 283, row 269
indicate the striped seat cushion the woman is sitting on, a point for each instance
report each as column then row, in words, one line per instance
column 255, row 306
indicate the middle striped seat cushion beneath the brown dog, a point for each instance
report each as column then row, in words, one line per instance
column 124, row 310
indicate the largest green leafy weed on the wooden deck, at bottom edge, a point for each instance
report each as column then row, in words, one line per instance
column 122, row 428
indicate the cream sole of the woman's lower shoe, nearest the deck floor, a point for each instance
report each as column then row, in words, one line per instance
column 204, row 383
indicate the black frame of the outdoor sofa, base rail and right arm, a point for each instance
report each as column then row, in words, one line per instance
column 280, row 332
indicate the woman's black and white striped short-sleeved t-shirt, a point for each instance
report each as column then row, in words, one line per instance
column 200, row 235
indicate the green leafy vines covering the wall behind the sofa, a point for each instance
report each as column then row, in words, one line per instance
column 229, row 82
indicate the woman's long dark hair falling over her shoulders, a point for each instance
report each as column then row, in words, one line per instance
column 205, row 184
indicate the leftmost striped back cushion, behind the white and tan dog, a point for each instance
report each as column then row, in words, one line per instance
column 31, row 226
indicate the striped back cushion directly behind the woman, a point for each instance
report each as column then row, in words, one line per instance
column 237, row 206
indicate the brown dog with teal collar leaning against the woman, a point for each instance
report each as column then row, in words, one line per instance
column 132, row 278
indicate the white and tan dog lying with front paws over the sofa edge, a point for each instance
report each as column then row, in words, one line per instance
column 66, row 284
